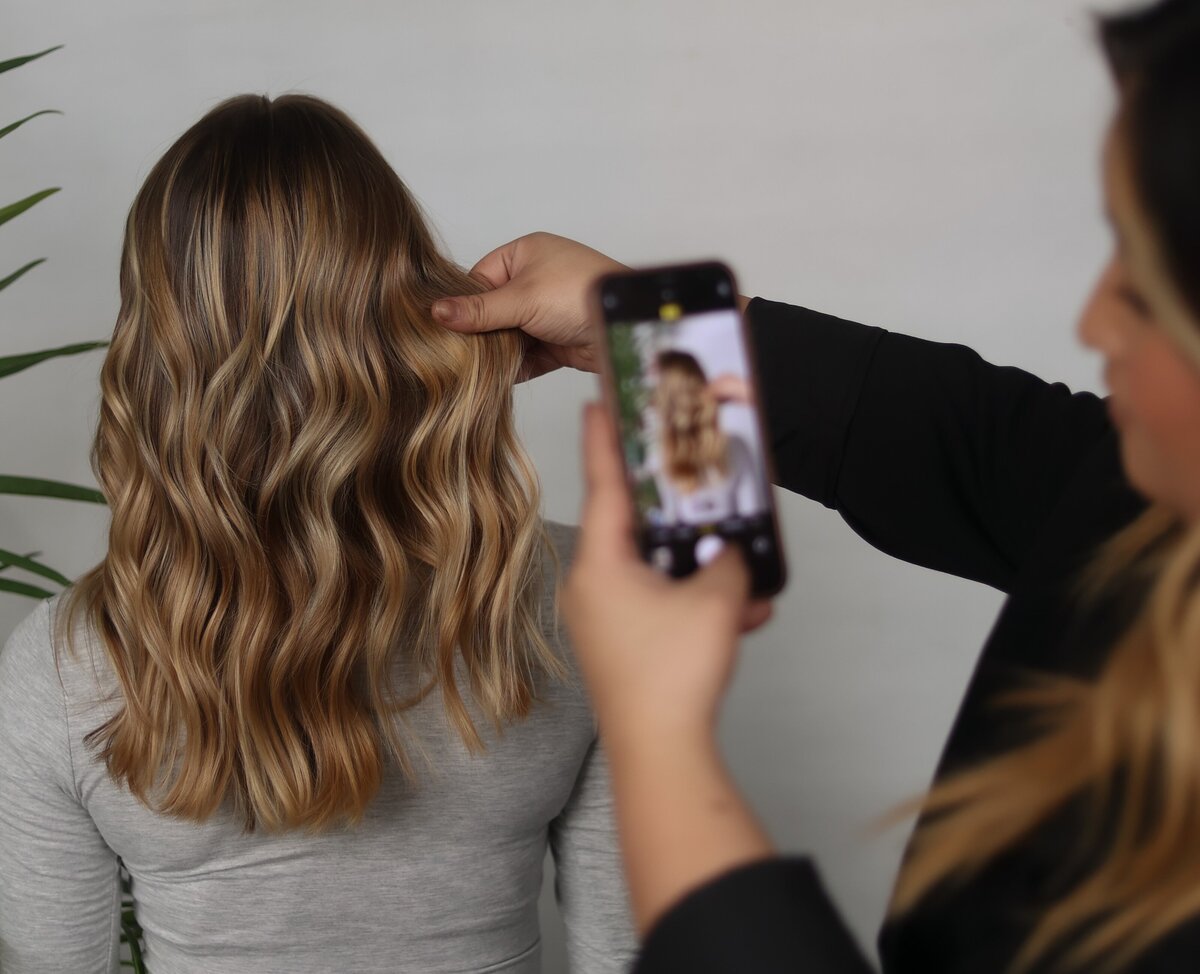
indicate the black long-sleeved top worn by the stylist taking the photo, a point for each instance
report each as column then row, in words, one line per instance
column 987, row 473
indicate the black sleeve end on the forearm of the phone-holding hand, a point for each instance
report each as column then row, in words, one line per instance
column 769, row 918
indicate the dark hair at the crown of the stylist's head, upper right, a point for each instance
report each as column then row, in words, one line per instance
column 1155, row 55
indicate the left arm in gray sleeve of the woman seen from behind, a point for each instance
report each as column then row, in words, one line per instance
column 59, row 887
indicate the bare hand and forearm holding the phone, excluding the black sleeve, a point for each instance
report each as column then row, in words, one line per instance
column 681, row 823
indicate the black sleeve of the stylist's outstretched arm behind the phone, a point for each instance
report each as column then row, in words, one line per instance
column 929, row 453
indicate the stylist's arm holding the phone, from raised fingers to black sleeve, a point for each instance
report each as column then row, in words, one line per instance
column 704, row 885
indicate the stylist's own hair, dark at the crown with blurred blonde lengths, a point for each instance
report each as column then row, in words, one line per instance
column 1127, row 743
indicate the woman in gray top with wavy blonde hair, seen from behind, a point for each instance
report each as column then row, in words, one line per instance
column 315, row 695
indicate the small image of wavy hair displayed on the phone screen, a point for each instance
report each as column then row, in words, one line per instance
column 693, row 441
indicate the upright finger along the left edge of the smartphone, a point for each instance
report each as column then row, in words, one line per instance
column 608, row 521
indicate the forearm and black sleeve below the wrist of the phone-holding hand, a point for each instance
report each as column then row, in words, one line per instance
column 715, row 898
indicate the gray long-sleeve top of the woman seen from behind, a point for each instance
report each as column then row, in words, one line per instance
column 442, row 876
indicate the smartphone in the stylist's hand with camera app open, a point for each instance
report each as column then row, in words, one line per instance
column 679, row 377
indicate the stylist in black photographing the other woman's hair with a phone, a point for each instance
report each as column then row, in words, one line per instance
column 1063, row 832
